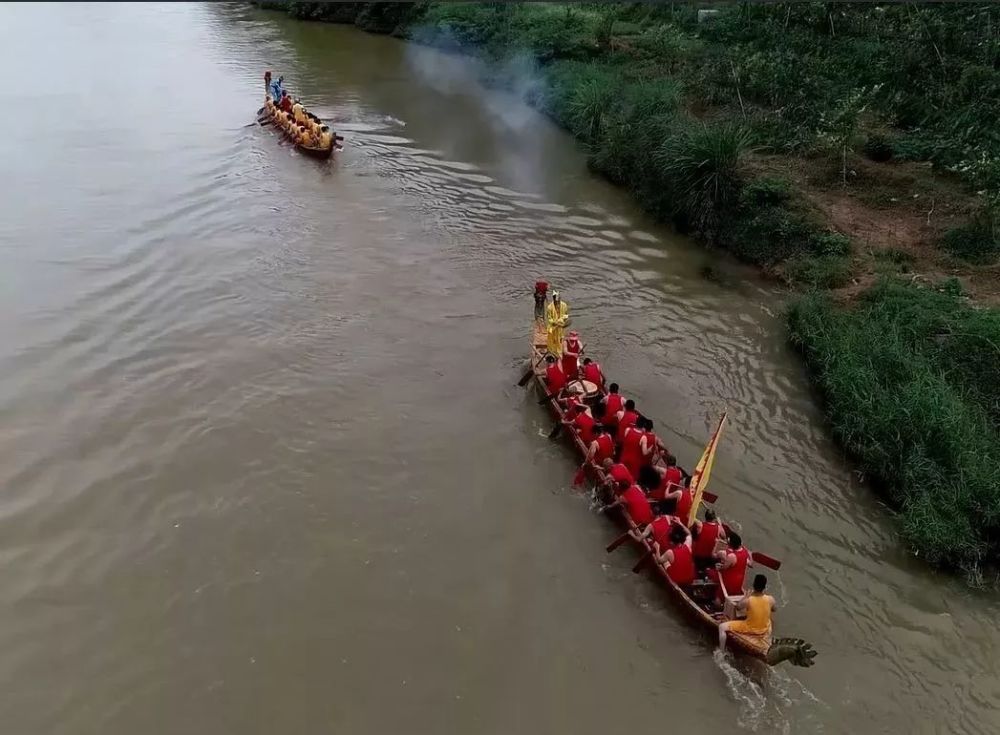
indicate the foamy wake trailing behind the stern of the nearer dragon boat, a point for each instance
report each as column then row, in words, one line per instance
column 769, row 699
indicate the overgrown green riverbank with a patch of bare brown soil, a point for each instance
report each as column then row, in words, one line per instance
column 873, row 161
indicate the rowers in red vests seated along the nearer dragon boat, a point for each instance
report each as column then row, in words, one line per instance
column 645, row 477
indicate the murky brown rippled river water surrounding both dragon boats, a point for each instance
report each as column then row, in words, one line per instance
column 263, row 464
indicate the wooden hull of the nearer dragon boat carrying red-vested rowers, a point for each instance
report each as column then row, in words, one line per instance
column 756, row 646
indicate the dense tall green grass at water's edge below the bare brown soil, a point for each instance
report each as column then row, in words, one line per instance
column 911, row 378
